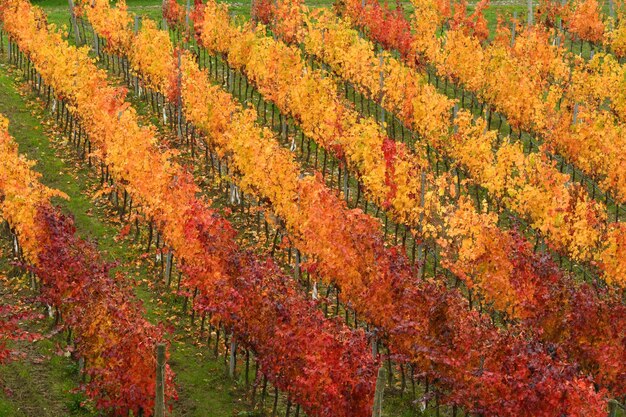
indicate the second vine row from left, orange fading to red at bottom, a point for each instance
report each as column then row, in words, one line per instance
column 321, row 364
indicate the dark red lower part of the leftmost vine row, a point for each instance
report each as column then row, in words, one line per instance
column 110, row 330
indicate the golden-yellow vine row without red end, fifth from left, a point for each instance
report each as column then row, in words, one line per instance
column 572, row 222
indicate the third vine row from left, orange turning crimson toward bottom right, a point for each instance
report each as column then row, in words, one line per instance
column 383, row 290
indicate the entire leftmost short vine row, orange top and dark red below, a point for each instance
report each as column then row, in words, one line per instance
column 111, row 334
